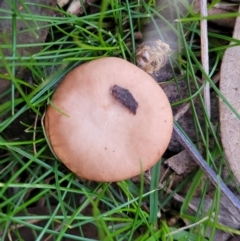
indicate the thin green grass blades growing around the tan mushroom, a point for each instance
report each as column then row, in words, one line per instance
column 37, row 192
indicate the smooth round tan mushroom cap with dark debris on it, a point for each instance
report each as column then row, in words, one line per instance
column 95, row 135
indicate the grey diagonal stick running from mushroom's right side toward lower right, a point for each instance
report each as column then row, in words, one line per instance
column 194, row 153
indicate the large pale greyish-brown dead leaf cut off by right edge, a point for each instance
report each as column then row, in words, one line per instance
column 230, row 88
